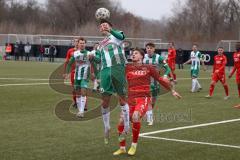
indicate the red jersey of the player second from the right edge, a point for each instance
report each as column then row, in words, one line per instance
column 220, row 62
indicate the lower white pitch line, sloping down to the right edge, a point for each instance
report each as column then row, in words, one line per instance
column 193, row 142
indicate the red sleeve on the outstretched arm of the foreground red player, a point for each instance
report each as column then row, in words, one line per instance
column 156, row 76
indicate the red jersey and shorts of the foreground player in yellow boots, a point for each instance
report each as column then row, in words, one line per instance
column 139, row 91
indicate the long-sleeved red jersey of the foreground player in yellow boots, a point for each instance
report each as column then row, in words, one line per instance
column 139, row 80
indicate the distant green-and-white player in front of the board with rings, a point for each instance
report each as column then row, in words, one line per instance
column 196, row 58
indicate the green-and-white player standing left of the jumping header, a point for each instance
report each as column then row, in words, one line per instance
column 82, row 71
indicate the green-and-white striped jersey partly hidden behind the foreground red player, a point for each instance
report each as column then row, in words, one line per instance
column 157, row 60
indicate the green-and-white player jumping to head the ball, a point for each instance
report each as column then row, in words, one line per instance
column 112, row 75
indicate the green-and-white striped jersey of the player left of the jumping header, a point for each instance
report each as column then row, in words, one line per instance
column 82, row 69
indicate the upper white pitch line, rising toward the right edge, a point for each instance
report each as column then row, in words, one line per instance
column 188, row 127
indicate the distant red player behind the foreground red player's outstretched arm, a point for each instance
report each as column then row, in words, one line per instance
column 172, row 59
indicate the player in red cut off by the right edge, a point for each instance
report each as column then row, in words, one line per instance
column 236, row 67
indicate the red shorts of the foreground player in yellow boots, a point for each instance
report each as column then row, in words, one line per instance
column 139, row 104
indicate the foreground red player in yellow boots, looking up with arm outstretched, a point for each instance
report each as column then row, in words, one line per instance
column 138, row 76
